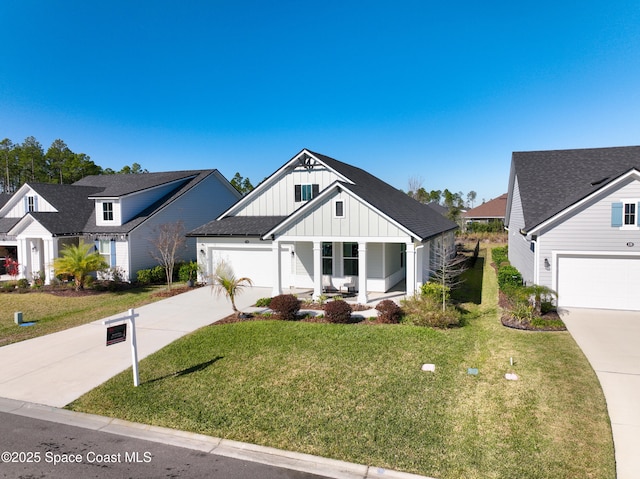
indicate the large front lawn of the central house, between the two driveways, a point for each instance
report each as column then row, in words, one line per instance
column 357, row 393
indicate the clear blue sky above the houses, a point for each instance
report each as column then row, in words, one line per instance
column 440, row 91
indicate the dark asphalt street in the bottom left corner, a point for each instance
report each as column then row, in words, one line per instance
column 38, row 448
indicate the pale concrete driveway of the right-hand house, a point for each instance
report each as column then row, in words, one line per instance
column 611, row 342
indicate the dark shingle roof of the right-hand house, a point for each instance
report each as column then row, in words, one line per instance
column 551, row 181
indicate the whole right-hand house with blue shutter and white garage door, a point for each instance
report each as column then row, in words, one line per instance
column 574, row 224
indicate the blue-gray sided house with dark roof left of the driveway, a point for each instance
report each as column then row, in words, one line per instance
column 119, row 214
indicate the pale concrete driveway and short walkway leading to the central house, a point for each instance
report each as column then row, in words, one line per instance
column 58, row 368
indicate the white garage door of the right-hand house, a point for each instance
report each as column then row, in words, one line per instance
column 599, row 282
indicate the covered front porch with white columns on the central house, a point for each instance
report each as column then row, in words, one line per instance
column 353, row 268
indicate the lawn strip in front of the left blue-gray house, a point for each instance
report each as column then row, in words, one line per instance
column 53, row 313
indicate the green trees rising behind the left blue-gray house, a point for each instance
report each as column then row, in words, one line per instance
column 29, row 162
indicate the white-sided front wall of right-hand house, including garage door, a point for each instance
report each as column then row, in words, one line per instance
column 592, row 263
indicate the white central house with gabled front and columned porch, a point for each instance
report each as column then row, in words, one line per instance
column 323, row 224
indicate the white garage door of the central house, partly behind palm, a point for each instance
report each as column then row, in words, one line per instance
column 252, row 263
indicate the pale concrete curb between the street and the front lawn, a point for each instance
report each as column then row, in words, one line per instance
column 223, row 447
